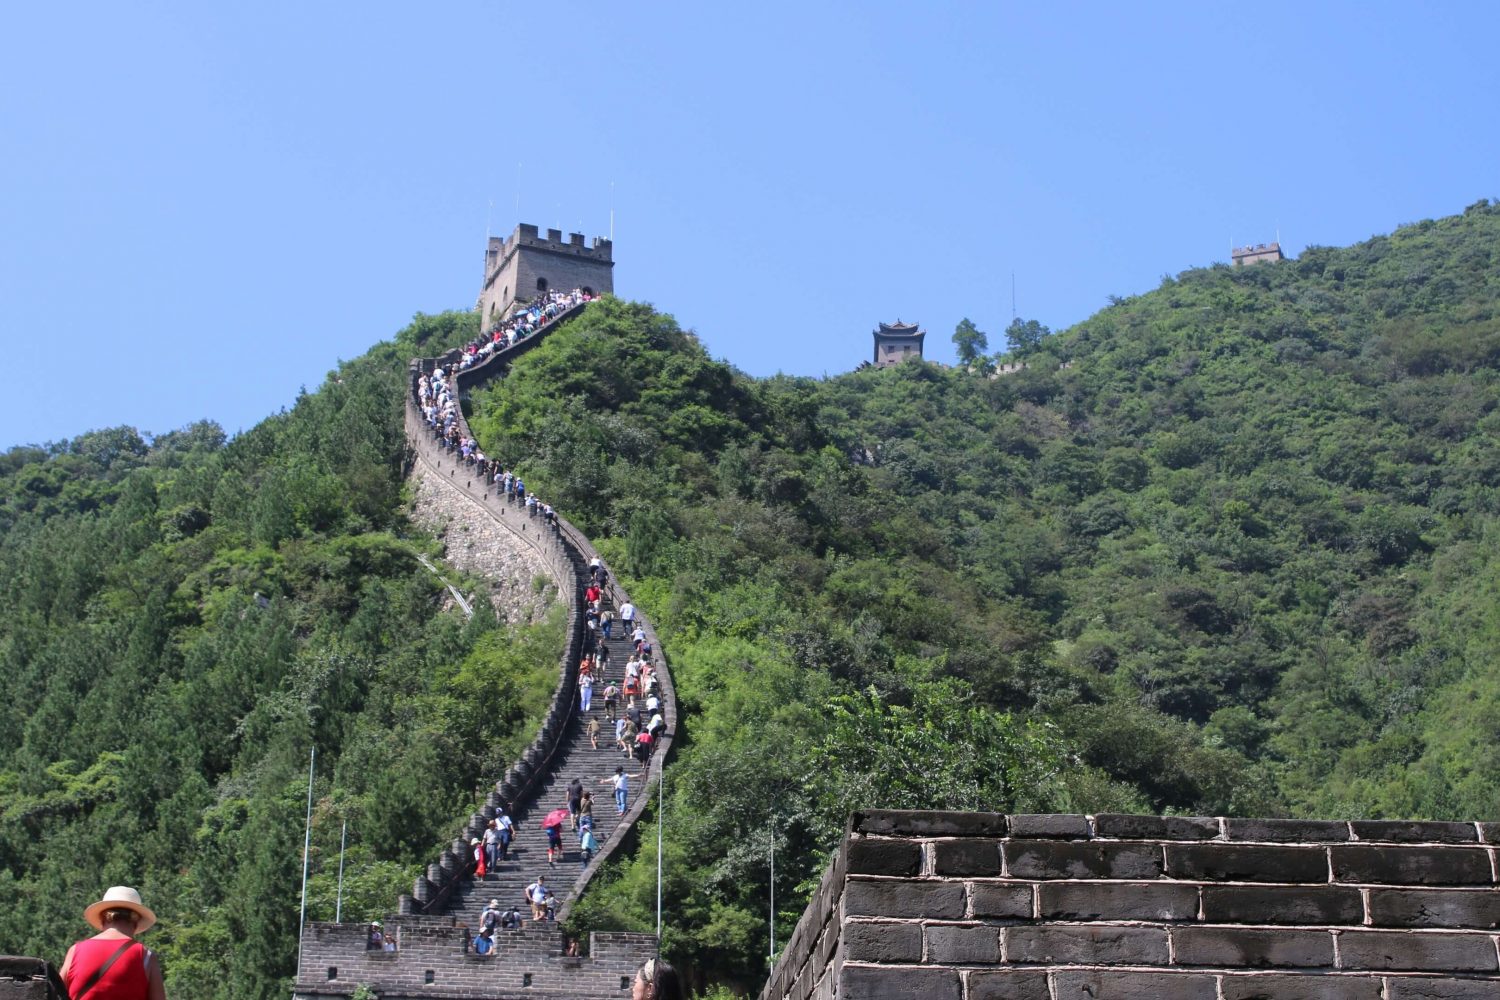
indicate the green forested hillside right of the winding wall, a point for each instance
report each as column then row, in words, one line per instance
column 1237, row 557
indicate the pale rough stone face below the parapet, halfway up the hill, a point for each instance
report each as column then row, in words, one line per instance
column 478, row 545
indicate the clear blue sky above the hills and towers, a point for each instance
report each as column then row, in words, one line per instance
column 206, row 206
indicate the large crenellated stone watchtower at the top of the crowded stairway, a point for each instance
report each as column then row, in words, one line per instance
column 524, row 266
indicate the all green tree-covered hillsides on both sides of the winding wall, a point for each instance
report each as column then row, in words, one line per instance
column 1240, row 557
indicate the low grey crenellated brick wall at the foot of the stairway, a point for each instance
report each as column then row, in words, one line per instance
column 434, row 962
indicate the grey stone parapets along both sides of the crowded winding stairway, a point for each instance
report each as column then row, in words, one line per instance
column 565, row 552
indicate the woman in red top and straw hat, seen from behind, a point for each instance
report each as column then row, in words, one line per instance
column 113, row 965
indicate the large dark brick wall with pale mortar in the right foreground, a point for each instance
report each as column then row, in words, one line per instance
column 973, row 906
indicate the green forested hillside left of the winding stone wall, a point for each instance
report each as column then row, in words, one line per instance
column 184, row 621
